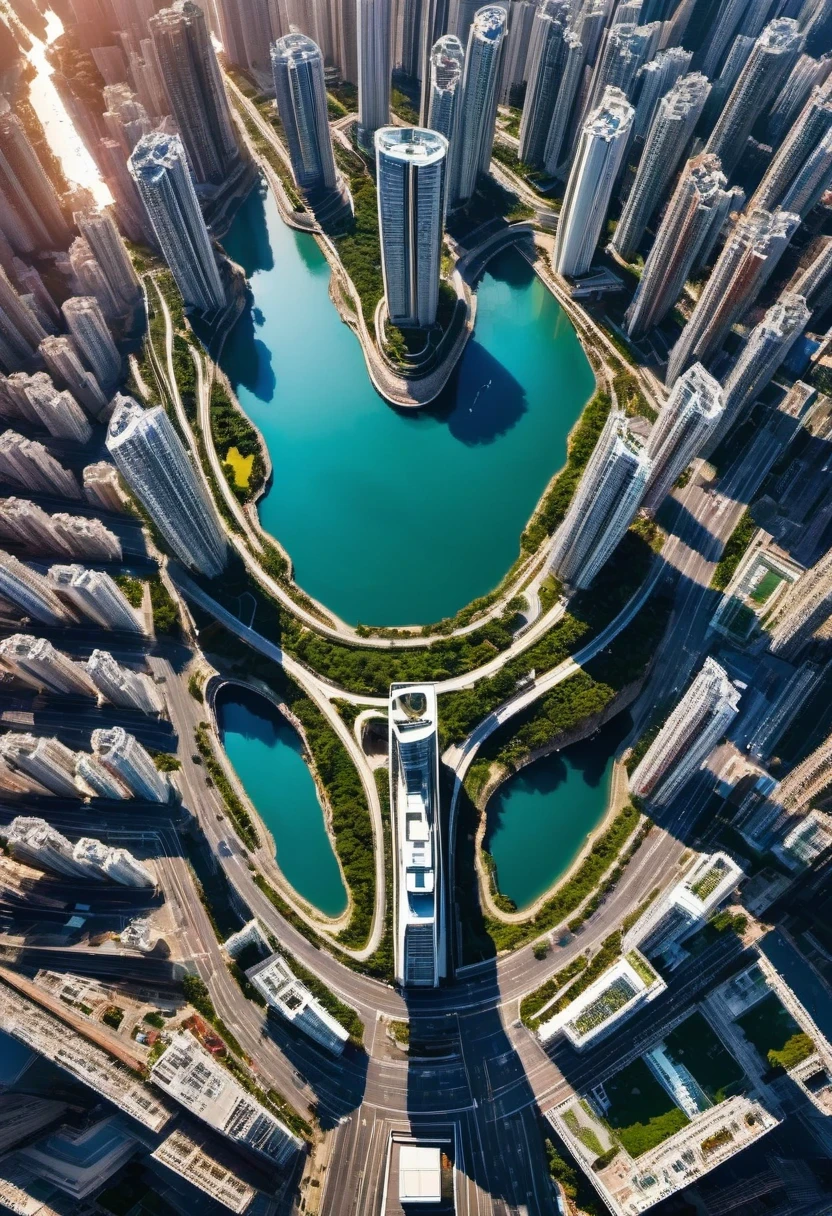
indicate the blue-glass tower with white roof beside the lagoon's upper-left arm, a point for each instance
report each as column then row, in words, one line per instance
column 160, row 170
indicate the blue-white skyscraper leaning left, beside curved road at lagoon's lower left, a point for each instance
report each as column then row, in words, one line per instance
column 151, row 459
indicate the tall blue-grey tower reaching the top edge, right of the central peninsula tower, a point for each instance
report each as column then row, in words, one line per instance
column 480, row 97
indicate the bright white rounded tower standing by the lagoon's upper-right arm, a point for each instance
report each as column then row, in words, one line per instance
column 601, row 150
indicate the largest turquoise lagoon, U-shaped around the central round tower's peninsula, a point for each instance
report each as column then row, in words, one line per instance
column 397, row 517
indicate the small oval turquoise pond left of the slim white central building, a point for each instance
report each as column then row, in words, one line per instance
column 268, row 757
